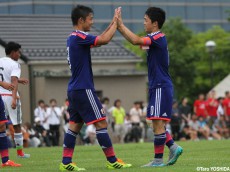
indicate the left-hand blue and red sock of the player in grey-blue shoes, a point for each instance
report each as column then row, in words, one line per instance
column 159, row 144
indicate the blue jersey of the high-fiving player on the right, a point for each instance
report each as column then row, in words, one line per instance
column 158, row 61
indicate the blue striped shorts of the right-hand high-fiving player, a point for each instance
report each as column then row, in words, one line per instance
column 160, row 103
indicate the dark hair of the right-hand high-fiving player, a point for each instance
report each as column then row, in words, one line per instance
column 156, row 14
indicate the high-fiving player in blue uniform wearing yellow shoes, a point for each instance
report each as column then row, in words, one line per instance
column 84, row 106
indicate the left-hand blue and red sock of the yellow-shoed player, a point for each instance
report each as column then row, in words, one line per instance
column 68, row 146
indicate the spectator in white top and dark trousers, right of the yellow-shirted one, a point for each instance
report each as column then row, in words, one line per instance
column 135, row 117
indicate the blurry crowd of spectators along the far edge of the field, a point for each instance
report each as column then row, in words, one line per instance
column 207, row 119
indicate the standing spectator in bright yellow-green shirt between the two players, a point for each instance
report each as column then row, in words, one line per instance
column 119, row 119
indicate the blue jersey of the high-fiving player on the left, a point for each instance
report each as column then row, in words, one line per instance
column 79, row 59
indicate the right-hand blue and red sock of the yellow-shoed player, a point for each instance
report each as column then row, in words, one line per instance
column 106, row 144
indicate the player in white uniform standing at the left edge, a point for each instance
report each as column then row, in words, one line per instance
column 10, row 71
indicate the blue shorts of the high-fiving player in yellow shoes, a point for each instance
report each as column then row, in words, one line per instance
column 84, row 106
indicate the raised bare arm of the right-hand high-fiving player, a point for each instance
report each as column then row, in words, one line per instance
column 128, row 34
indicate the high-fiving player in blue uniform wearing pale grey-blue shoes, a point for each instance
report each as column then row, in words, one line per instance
column 160, row 84
